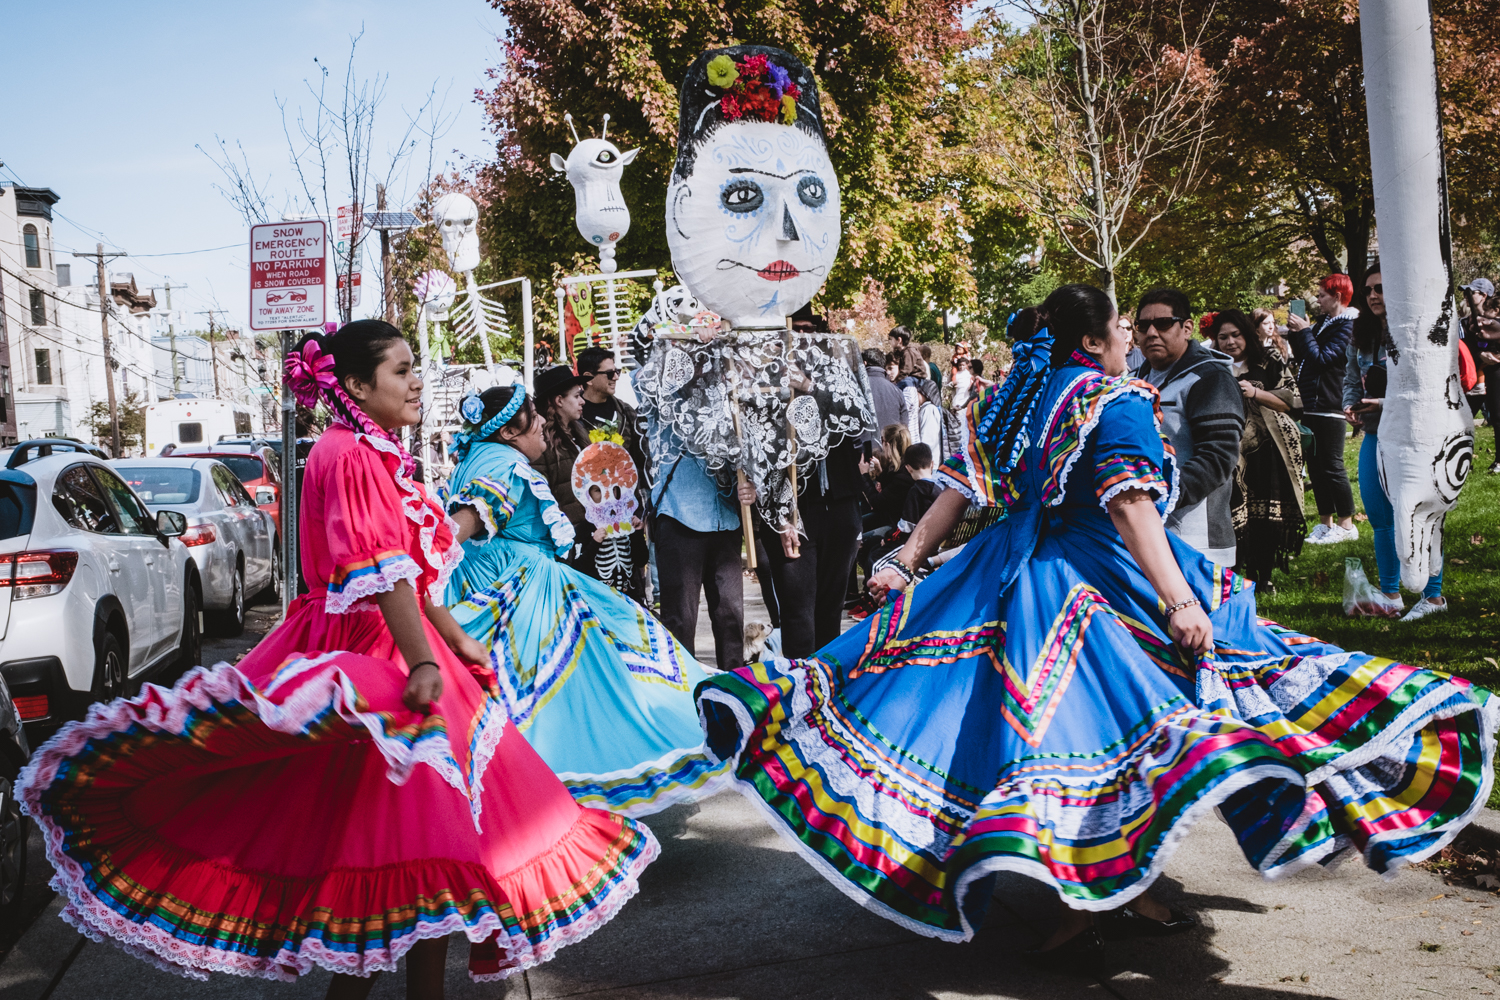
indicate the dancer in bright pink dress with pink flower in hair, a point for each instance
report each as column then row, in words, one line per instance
column 350, row 792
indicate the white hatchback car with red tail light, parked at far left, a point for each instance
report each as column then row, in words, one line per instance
column 97, row 593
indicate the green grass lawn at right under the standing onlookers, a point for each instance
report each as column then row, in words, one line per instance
column 1466, row 641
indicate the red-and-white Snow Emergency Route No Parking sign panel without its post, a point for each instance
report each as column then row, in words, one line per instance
column 289, row 266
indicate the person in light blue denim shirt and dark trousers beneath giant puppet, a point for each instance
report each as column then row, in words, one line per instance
column 695, row 527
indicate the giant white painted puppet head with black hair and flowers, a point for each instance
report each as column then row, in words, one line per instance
column 754, row 209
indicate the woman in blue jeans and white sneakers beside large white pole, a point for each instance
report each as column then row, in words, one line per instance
column 1364, row 400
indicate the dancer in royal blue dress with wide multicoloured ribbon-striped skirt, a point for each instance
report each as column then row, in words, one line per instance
column 1075, row 689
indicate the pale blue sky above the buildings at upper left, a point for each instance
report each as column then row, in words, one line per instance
column 107, row 104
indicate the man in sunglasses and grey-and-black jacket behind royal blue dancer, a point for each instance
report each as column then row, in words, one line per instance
column 1204, row 416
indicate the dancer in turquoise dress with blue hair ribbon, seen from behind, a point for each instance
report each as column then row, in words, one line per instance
column 596, row 683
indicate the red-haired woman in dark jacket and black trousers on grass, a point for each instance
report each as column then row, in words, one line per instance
column 1321, row 347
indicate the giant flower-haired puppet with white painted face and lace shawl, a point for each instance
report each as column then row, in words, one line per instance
column 754, row 227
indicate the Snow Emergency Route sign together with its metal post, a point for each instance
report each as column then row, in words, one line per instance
column 289, row 278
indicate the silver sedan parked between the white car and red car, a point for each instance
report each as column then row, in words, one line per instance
column 230, row 539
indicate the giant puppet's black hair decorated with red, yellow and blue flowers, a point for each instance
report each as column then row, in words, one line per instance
column 745, row 83
